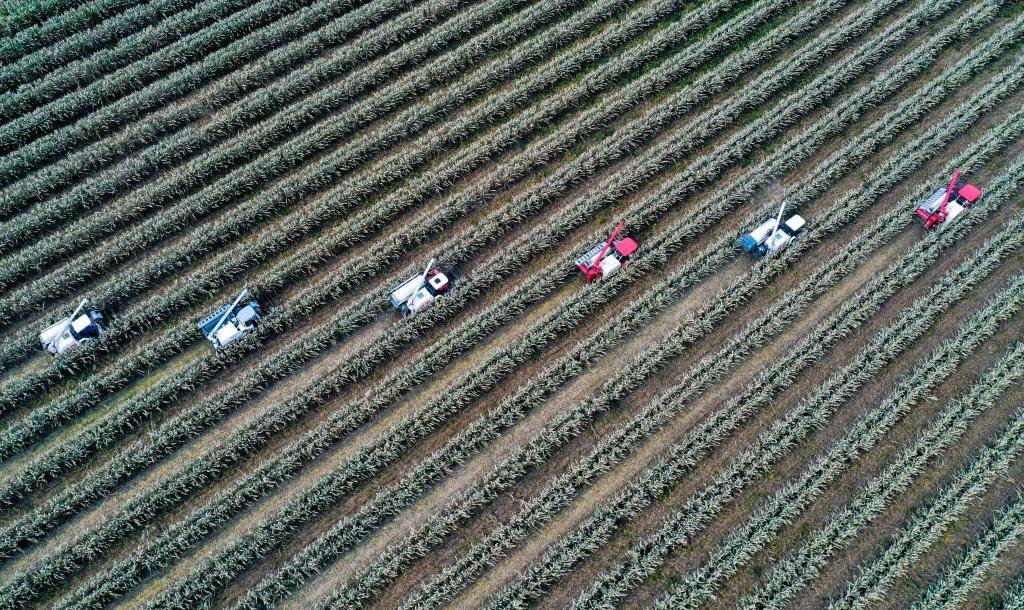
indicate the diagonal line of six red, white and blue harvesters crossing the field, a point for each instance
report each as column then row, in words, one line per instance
column 420, row 291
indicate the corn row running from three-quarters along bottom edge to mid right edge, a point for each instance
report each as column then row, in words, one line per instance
column 791, row 576
